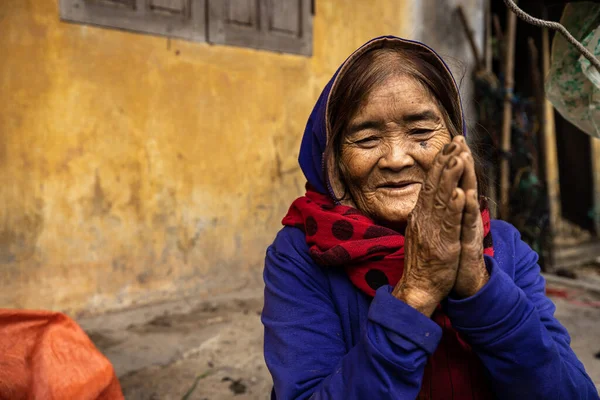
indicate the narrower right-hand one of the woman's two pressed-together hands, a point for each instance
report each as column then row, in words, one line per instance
column 472, row 274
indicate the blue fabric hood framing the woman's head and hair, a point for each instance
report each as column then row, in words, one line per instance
column 314, row 142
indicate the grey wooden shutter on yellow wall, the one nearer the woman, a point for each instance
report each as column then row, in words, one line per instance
column 277, row 25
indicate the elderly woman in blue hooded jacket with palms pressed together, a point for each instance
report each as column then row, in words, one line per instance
column 389, row 281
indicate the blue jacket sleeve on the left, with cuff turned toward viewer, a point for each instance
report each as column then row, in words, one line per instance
column 304, row 346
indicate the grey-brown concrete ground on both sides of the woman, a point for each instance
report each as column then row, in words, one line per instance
column 211, row 349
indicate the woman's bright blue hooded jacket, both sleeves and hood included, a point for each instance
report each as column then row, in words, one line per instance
column 325, row 339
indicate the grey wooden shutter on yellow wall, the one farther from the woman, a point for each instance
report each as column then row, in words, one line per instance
column 174, row 18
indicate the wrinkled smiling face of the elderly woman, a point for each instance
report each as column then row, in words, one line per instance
column 389, row 146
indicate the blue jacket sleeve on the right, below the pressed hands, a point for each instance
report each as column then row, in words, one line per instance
column 511, row 326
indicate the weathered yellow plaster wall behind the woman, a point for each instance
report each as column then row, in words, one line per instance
column 135, row 168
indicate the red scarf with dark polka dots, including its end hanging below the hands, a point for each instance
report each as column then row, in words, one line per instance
column 373, row 256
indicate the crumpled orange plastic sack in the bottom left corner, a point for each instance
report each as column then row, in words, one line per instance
column 47, row 356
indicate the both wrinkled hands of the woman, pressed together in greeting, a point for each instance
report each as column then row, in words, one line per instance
column 444, row 234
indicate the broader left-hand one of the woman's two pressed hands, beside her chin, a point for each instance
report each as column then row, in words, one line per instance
column 433, row 234
